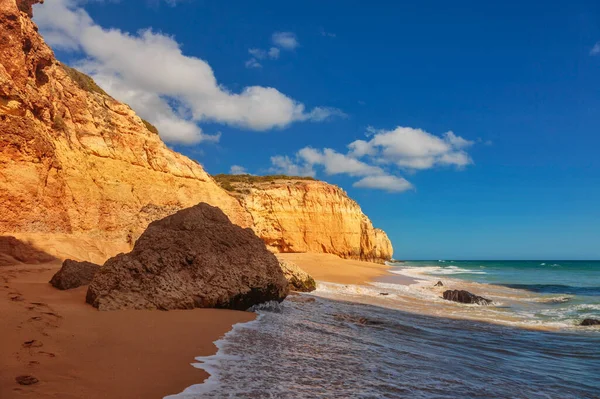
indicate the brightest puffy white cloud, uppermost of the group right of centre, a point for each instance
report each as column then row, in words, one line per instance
column 413, row 148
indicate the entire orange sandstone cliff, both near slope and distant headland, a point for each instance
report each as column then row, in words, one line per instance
column 81, row 175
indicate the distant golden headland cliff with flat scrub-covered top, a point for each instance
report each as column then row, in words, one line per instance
column 305, row 215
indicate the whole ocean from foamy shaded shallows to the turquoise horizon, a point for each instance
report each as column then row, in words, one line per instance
column 391, row 340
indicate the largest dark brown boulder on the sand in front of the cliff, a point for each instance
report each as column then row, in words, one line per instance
column 195, row 258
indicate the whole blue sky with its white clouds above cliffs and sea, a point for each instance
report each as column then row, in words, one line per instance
column 518, row 84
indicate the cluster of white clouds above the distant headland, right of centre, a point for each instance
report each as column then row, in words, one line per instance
column 379, row 161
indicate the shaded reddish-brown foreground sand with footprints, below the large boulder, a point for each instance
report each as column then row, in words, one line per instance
column 80, row 352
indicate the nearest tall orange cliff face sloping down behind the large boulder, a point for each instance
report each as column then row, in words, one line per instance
column 74, row 160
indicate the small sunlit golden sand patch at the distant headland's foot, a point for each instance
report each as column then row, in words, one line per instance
column 331, row 268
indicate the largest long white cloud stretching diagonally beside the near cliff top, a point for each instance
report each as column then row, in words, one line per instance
column 149, row 71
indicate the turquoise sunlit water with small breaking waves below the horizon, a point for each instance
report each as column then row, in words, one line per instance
column 568, row 291
